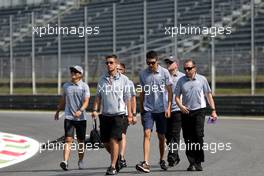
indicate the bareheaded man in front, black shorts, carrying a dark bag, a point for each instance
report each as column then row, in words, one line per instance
column 114, row 97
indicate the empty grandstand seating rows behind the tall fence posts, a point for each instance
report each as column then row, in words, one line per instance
column 232, row 51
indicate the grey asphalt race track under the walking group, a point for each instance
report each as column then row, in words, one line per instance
column 246, row 157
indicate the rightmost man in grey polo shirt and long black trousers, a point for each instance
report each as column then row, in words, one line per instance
column 194, row 88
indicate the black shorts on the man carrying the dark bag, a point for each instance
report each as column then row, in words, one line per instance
column 111, row 127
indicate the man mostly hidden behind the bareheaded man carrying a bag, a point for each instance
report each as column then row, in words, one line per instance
column 122, row 145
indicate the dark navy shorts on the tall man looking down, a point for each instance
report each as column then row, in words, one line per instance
column 148, row 119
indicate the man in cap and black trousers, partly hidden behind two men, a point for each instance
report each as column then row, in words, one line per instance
column 174, row 122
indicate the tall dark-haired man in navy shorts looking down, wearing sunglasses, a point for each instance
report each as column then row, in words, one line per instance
column 157, row 80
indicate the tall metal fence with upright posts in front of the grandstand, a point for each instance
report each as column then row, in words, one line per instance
column 233, row 64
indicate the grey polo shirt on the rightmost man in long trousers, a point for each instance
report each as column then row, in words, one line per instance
column 193, row 91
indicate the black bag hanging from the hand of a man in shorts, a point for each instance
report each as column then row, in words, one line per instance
column 95, row 138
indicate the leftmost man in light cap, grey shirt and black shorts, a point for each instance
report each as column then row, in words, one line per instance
column 74, row 101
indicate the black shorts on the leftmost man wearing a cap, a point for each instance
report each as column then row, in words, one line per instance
column 80, row 127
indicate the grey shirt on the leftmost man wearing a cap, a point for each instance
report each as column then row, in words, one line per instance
column 74, row 96
